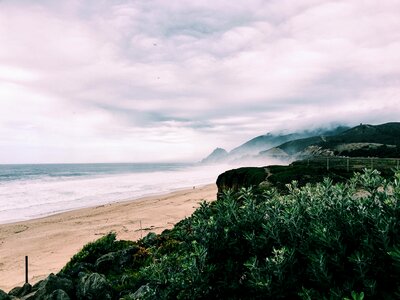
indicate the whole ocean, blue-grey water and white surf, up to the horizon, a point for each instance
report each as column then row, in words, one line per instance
column 33, row 191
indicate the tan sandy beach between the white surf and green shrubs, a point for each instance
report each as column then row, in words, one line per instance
column 51, row 241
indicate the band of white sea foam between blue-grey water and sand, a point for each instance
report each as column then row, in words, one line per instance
column 33, row 198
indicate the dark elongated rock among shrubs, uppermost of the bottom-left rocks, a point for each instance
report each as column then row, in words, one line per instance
column 115, row 261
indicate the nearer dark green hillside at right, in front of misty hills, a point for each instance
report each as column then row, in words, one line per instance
column 363, row 140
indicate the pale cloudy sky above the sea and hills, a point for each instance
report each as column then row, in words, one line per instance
column 157, row 80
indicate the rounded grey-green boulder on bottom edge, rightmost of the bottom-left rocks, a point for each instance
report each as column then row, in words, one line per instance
column 93, row 286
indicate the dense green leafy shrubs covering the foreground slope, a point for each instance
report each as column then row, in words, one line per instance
column 320, row 241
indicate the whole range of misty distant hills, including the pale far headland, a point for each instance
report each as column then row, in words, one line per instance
column 364, row 140
